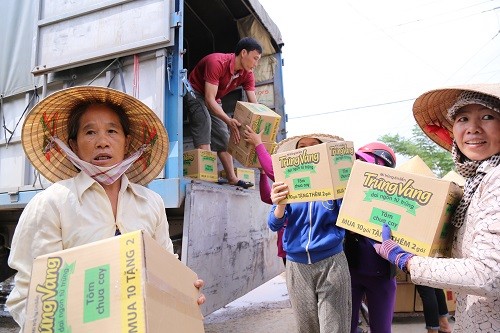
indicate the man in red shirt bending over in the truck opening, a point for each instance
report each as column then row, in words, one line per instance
column 212, row 78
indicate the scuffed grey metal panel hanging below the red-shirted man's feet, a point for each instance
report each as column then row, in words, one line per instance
column 227, row 242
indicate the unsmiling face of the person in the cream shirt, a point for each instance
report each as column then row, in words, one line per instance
column 100, row 139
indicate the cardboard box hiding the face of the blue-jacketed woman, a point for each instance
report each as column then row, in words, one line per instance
column 315, row 173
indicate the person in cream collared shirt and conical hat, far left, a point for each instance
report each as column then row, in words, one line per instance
column 98, row 146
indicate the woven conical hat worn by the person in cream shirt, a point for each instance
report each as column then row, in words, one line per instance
column 49, row 118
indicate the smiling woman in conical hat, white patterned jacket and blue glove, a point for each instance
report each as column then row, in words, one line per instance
column 466, row 121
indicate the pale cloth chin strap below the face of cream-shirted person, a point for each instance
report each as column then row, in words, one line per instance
column 103, row 175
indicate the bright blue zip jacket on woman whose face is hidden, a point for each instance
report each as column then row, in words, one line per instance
column 311, row 234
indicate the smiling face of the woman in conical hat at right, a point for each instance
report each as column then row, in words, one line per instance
column 477, row 132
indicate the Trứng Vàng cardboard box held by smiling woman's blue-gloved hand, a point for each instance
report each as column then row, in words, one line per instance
column 417, row 208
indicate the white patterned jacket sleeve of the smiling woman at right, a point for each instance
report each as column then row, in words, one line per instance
column 475, row 270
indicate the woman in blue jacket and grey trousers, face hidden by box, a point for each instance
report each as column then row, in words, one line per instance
column 317, row 274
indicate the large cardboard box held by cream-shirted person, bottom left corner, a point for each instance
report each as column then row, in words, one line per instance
column 127, row 283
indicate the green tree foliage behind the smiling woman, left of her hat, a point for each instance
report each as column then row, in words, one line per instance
column 437, row 158
